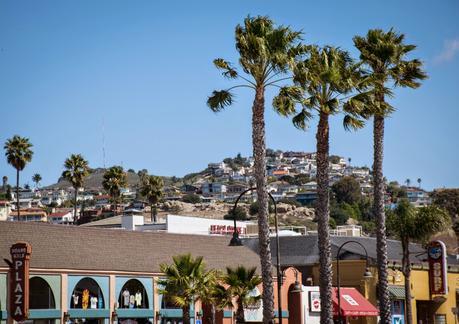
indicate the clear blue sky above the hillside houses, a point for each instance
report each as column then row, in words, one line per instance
column 142, row 70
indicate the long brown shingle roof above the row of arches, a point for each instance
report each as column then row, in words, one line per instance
column 71, row 247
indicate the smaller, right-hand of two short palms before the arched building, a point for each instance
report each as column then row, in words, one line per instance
column 241, row 282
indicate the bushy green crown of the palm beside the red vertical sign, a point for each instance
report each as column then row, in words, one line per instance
column 416, row 224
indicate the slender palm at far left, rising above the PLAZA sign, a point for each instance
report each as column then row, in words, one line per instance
column 18, row 152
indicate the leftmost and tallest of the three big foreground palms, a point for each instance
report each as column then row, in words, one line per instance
column 266, row 52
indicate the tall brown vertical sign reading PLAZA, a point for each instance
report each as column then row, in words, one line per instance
column 19, row 281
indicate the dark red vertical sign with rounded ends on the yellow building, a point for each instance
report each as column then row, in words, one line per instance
column 437, row 268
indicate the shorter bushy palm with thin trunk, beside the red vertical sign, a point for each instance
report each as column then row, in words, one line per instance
column 410, row 224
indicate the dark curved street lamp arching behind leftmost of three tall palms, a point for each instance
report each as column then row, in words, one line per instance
column 236, row 241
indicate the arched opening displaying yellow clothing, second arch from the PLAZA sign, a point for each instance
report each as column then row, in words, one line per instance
column 87, row 295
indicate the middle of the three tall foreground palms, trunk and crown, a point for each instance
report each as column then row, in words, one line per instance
column 326, row 75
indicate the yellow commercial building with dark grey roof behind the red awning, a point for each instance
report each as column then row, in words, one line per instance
column 302, row 252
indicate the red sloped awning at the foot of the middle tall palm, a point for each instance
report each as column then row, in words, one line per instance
column 352, row 303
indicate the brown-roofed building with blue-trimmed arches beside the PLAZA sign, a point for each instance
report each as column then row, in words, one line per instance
column 94, row 275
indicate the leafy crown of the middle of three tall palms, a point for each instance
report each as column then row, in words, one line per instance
column 321, row 81
